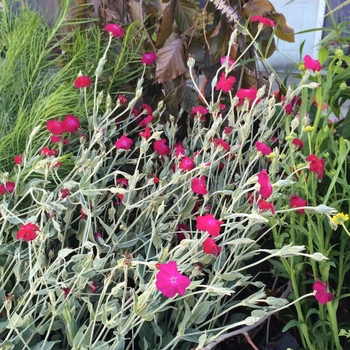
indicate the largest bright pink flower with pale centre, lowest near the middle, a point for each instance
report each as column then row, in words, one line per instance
column 169, row 281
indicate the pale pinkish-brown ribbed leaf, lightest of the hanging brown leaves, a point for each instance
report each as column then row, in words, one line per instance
column 171, row 61
